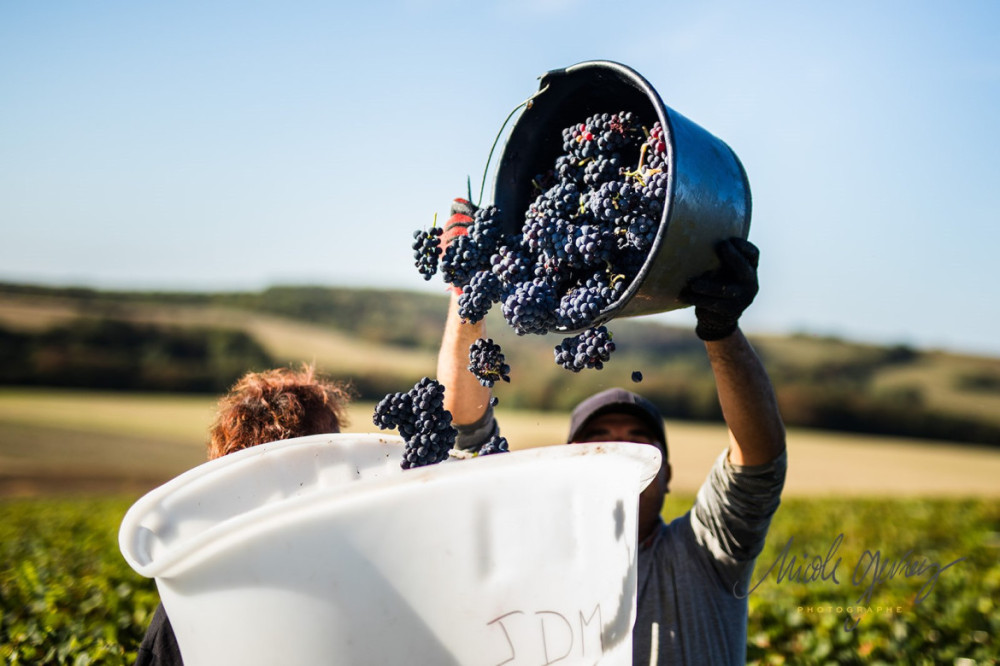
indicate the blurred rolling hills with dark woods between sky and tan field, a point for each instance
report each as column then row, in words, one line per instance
column 386, row 340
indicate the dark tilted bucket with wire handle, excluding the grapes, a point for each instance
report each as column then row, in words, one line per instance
column 708, row 195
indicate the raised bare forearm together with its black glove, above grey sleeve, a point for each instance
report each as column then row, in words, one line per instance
column 756, row 431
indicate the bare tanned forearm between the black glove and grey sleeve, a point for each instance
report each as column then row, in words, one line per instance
column 749, row 406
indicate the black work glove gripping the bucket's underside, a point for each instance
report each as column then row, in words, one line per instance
column 721, row 295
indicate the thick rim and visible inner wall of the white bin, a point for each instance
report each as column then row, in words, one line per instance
column 141, row 526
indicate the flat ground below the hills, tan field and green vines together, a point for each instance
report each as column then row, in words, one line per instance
column 72, row 462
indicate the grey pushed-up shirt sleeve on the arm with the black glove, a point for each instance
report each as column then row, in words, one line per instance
column 733, row 512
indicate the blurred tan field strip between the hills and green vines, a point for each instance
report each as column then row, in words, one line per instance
column 67, row 441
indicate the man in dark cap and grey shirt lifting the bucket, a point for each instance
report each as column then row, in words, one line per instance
column 694, row 572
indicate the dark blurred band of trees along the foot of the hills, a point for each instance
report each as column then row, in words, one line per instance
column 109, row 354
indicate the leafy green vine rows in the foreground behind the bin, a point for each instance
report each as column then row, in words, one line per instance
column 68, row 597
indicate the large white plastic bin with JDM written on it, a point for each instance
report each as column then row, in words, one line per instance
column 322, row 550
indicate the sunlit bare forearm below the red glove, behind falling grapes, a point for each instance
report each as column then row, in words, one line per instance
column 464, row 396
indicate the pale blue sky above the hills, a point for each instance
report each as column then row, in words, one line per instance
column 236, row 145
